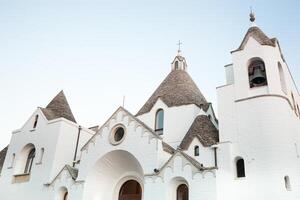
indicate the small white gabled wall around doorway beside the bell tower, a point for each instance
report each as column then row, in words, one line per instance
column 163, row 187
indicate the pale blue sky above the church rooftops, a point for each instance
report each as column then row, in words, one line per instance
column 99, row 51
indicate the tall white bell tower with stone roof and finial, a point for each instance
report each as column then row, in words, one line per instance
column 258, row 122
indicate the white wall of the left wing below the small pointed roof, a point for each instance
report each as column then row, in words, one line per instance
column 57, row 137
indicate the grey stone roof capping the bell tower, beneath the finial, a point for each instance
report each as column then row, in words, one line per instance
column 256, row 33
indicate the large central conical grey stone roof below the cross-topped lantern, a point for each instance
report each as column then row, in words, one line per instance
column 177, row 89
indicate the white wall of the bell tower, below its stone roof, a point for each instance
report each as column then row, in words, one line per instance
column 262, row 130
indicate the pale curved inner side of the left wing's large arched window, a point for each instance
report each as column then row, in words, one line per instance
column 21, row 158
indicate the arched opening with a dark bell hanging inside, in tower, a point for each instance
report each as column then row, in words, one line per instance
column 257, row 73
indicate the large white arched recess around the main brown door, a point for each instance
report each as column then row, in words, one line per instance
column 110, row 172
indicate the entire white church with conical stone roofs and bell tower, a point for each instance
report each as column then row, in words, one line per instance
column 174, row 147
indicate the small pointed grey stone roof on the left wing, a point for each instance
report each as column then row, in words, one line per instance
column 58, row 108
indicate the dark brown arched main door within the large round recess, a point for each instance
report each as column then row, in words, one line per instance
column 130, row 190
